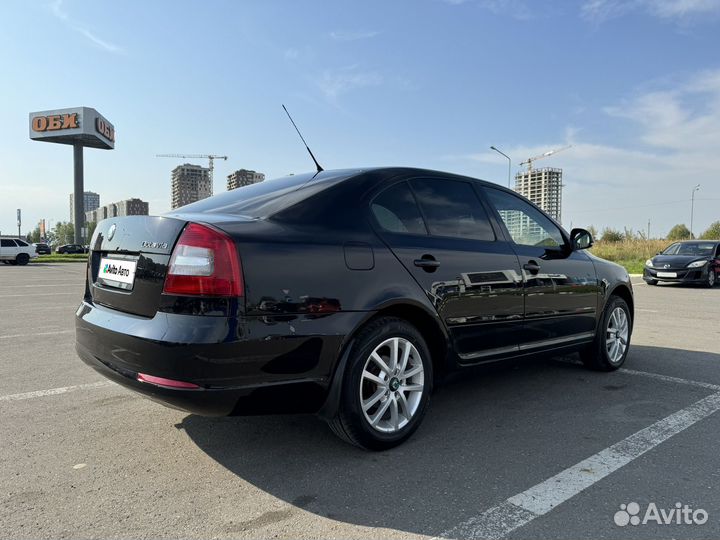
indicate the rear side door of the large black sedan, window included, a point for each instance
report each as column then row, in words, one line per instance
column 440, row 231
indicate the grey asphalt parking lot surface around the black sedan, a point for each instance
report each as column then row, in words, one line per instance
column 533, row 450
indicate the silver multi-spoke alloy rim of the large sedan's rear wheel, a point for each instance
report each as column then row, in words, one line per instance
column 391, row 385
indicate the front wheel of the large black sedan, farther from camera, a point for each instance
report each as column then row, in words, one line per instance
column 612, row 341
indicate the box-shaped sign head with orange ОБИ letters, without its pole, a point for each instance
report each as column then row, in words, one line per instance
column 82, row 125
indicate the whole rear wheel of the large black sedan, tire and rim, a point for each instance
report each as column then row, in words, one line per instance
column 386, row 386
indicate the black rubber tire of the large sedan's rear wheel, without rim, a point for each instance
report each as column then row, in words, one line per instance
column 350, row 423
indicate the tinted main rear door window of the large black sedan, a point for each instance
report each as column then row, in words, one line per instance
column 452, row 208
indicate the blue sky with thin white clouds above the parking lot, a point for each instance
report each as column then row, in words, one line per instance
column 633, row 86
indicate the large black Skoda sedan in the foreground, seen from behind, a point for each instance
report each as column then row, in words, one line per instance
column 347, row 293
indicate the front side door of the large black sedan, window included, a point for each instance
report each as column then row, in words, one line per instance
column 561, row 288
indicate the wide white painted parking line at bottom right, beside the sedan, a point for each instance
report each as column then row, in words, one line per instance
column 520, row 509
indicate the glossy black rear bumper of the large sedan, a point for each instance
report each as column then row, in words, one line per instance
column 241, row 365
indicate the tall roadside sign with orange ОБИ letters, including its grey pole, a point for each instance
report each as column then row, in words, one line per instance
column 79, row 127
